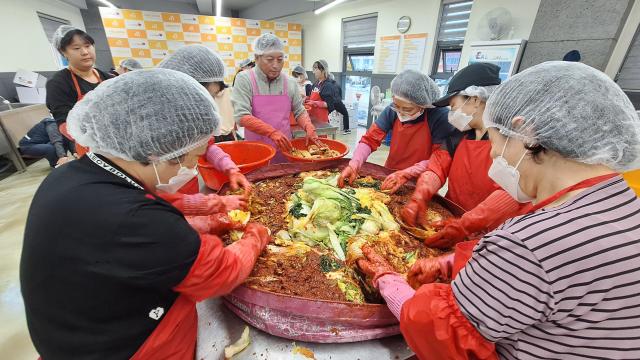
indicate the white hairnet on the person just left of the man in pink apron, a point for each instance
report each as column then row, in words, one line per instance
column 197, row 61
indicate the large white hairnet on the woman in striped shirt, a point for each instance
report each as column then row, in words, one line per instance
column 572, row 109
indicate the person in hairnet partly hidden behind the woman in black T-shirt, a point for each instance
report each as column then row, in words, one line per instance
column 207, row 68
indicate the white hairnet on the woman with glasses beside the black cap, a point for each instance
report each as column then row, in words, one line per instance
column 416, row 87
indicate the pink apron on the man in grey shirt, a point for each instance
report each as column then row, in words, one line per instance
column 273, row 110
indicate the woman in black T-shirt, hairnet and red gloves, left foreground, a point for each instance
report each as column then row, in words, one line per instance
column 122, row 279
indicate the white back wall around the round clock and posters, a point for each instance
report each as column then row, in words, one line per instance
column 322, row 34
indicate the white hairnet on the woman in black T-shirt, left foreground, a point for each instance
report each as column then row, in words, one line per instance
column 145, row 115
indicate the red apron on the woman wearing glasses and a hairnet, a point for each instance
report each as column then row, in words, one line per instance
column 410, row 144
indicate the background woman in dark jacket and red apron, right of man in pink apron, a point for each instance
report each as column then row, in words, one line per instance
column 326, row 96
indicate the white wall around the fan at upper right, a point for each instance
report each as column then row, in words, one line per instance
column 523, row 12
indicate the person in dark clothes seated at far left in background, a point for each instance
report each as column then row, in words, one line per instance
column 44, row 140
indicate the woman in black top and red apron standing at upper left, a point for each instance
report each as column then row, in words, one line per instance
column 68, row 86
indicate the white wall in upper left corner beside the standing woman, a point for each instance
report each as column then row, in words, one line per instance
column 23, row 41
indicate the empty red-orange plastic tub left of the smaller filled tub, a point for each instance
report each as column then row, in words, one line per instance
column 248, row 155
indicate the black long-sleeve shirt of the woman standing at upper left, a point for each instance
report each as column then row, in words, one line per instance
column 62, row 94
